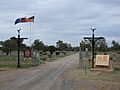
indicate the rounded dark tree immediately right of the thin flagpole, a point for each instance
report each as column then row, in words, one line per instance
column 38, row 45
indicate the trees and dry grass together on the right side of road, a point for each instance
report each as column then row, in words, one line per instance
column 84, row 72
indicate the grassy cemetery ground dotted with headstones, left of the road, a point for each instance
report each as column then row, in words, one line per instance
column 26, row 61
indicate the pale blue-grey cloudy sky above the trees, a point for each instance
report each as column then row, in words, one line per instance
column 66, row 20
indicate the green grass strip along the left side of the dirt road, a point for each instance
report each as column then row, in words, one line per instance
column 10, row 62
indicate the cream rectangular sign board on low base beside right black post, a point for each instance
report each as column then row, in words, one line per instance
column 102, row 60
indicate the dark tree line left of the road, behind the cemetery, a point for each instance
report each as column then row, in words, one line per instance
column 10, row 45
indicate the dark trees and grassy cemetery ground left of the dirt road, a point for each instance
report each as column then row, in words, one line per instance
column 37, row 54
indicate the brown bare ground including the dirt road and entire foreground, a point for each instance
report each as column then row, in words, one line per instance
column 52, row 76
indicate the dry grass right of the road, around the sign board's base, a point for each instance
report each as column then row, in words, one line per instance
column 75, row 73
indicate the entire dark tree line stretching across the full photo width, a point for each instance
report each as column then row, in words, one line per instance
column 10, row 45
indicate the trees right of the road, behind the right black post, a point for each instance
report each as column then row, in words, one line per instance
column 100, row 45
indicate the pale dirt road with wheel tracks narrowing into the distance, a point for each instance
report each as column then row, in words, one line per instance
column 42, row 77
